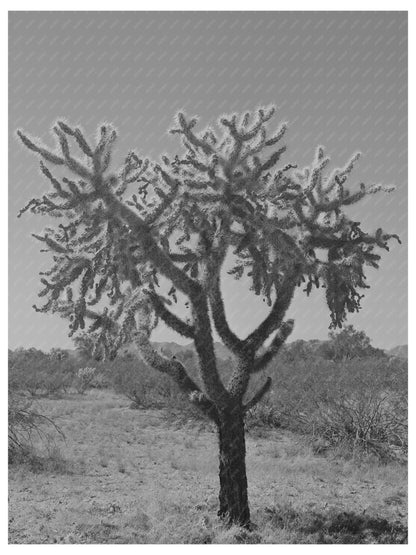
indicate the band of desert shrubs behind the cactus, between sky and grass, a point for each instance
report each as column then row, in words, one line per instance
column 356, row 406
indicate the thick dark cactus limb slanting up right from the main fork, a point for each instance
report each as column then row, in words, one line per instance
column 274, row 319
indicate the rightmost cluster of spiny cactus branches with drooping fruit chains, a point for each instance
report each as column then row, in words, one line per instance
column 318, row 203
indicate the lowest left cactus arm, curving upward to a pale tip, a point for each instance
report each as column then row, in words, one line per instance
column 172, row 367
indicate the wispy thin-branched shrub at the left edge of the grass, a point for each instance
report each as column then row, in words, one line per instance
column 25, row 424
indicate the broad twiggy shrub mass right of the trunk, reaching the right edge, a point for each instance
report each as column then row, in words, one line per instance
column 359, row 404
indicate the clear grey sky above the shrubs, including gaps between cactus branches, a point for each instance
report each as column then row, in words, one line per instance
column 338, row 78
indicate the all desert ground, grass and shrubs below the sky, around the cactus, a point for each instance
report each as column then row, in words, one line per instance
column 314, row 478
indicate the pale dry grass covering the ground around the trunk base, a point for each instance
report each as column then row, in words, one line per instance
column 137, row 476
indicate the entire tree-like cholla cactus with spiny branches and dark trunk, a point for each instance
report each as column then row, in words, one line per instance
column 121, row 232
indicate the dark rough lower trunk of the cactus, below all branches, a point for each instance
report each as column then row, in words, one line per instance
column 233, row 479
